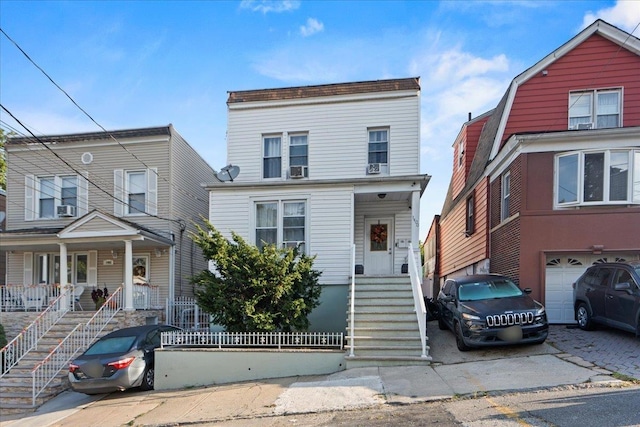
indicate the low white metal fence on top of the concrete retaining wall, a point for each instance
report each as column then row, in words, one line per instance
column 279, row 340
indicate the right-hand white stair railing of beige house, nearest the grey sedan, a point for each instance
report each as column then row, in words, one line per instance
column 76, row 341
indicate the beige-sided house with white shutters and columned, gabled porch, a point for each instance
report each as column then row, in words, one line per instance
column 115, row 204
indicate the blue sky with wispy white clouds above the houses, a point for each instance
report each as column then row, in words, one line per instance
column 149, row 63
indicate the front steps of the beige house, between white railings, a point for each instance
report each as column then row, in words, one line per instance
column 16, row 387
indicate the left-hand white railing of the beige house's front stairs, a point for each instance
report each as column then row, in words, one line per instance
column 28, row 339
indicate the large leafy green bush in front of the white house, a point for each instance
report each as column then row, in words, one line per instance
column 255, row 290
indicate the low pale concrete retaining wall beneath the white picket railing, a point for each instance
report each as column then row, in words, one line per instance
column 193, row 367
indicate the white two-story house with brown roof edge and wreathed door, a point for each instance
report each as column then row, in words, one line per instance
column 327, row 168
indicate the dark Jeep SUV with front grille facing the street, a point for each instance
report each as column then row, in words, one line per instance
column 488, row 310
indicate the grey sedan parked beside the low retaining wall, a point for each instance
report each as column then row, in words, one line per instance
column 119, row 360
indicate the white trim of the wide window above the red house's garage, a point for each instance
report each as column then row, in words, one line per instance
column 606, row 182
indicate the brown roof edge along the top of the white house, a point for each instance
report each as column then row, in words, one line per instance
column 412, row 83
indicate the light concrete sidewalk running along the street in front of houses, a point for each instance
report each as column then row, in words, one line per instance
column 451, row 374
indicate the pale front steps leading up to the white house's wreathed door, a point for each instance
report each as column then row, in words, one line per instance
column 386, row 331
